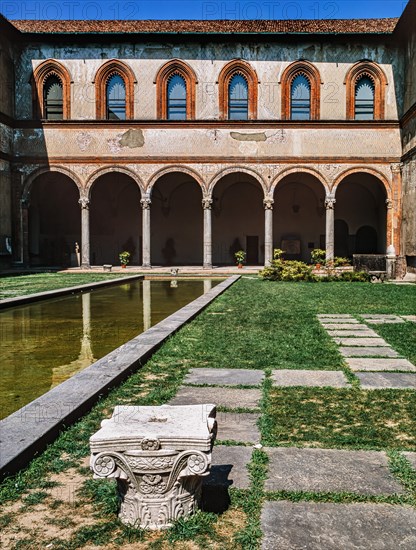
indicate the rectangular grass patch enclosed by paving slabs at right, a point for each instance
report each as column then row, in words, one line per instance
column 341, row 418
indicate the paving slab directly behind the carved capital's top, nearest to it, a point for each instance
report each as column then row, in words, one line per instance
column 228, row 397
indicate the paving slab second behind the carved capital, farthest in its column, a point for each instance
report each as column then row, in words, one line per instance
column 227, row 377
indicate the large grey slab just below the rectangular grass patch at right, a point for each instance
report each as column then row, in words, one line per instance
column 330, row 470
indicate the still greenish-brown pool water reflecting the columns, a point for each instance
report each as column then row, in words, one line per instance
column 44, row 343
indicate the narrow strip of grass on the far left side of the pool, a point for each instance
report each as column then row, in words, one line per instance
column 21, row 285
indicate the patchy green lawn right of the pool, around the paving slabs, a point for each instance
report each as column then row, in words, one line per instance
column 256, row 325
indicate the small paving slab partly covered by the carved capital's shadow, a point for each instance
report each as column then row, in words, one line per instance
column 229, row 467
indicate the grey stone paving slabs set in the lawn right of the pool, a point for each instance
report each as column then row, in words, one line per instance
column 306, row 524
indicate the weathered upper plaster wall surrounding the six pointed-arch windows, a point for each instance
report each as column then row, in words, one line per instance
column 269, row 60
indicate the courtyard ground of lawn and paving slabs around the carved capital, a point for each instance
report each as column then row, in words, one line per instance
column 316, row 446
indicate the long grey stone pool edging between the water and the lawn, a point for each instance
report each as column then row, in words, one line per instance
column 26, row 432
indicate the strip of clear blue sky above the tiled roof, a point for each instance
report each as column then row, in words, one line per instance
column 196, row 9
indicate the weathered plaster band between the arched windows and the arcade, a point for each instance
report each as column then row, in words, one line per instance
column 138, row 143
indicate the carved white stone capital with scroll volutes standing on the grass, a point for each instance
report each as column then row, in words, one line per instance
column 158, row 456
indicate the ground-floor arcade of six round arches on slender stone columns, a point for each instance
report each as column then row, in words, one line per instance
column 178, row 219
